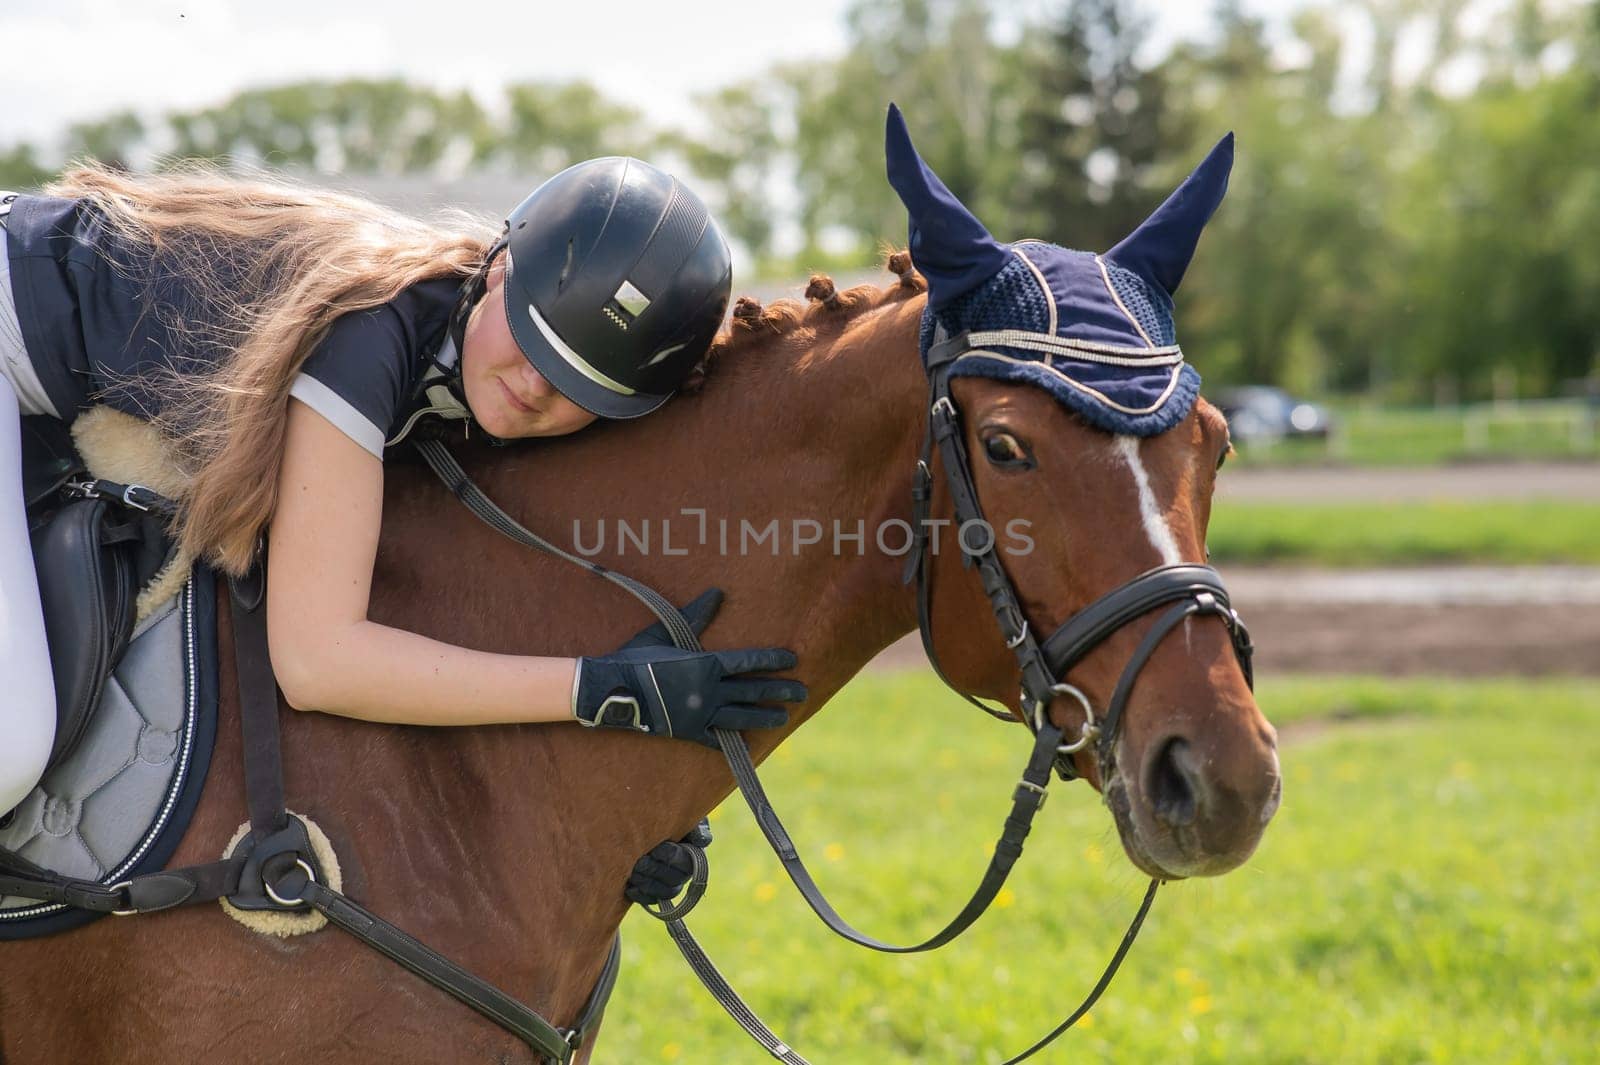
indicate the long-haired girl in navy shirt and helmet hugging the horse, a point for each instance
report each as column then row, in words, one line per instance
column 282, row 337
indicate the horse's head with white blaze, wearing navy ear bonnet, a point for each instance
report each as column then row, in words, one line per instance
column 1082, row 420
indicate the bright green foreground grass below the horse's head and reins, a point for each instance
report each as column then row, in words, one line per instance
column 1426, row 895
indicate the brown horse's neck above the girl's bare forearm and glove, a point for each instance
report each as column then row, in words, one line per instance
column 726, row 489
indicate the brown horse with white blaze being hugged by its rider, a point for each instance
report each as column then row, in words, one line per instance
column 508, row 847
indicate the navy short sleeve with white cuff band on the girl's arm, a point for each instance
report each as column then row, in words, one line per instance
column 359, row 377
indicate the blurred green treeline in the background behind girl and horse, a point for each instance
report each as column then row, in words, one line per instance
column 1412, row 210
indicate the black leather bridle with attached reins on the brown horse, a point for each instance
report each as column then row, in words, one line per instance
column 1190, row 589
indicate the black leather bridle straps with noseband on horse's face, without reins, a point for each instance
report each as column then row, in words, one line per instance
column 1191, row 591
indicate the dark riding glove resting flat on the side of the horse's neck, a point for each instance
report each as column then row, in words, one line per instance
column 652, row 687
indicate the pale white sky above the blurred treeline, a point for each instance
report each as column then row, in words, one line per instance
column 74, row 60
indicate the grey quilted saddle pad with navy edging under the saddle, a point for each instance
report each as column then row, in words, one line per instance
column 121, row 804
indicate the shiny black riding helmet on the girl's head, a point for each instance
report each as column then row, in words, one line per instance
column 617, row 281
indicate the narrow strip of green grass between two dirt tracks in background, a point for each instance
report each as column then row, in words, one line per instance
column 1415, row 533
